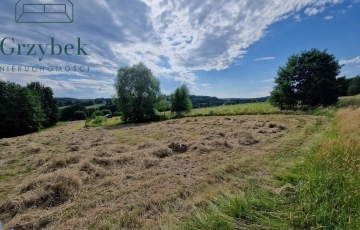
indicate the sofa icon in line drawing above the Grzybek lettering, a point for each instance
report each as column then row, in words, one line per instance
column 44, row 11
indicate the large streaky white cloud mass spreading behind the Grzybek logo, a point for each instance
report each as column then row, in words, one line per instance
column 189, row 35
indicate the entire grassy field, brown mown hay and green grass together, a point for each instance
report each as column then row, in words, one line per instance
column 264, row 171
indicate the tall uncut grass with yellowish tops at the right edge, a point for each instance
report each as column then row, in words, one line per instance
column 329, row 182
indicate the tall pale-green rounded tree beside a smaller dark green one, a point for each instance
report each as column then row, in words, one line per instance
column 137, row 93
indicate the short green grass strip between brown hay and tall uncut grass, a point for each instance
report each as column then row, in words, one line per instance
column 266, row 202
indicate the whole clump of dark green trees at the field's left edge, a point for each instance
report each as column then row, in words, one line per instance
column 26, row 109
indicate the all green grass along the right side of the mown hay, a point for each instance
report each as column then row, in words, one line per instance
column 319, row 192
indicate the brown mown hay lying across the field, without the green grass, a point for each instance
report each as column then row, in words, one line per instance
column 137, row 175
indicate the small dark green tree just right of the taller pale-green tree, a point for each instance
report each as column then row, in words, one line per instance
column 180, row 101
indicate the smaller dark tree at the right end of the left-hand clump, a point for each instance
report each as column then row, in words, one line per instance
column 49, row 104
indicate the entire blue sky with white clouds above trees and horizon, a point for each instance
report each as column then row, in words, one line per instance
column 223, row 48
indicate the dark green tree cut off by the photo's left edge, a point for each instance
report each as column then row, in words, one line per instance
column 20, row 110
